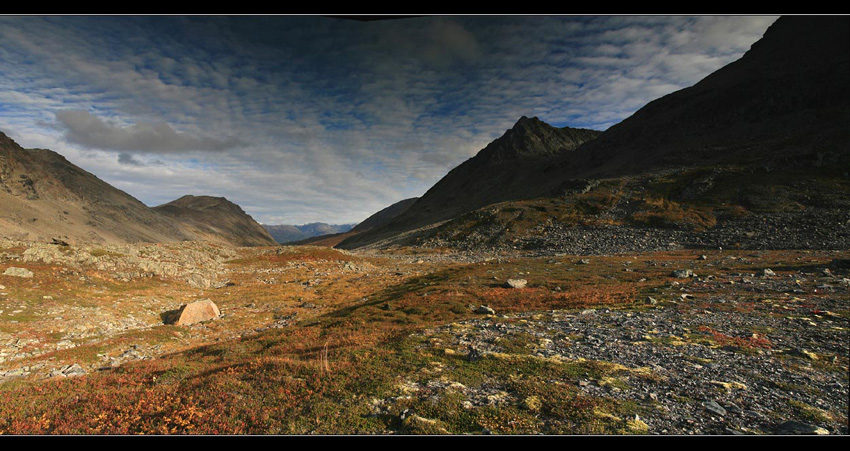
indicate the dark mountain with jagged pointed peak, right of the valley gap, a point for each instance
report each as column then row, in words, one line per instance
column 492, row 175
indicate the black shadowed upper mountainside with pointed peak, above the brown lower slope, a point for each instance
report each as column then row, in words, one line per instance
column 783, row 106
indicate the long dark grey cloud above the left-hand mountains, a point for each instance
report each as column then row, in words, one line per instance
column 89, row 131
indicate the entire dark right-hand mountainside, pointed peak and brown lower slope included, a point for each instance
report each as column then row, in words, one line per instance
column 760, row 147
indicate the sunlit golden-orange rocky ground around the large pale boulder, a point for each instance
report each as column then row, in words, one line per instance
column 72, row 310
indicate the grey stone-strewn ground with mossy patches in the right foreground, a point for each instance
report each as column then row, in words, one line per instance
column 769, row 357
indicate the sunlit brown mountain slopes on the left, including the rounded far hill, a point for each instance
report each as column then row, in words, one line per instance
column 45, row 197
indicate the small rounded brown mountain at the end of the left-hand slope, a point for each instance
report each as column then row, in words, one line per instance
column 217, row 220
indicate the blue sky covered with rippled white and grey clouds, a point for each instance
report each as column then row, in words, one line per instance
column 303, row 119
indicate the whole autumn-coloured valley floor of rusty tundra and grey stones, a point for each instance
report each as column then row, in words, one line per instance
column 313, row 340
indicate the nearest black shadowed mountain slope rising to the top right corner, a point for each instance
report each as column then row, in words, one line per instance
column 783, row 102
